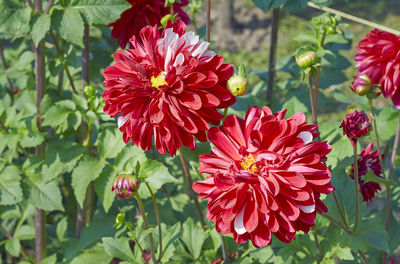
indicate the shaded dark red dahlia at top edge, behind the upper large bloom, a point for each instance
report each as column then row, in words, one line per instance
column 141, row 14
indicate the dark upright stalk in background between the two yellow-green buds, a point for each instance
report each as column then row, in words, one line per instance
column 272, row 53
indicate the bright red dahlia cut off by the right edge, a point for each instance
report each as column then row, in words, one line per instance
column 378, row 56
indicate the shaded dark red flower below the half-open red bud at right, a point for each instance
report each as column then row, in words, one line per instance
column 368, row 161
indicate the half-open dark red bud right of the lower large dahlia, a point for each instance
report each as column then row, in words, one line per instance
column 355, row 125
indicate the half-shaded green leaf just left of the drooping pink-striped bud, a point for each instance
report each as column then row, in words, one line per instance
column 103, row 187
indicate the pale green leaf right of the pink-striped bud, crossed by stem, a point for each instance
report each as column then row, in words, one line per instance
column 156, row 175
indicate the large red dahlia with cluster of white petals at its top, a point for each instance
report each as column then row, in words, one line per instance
column 170, row 87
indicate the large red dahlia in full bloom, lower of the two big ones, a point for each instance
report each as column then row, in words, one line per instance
column 265, row 176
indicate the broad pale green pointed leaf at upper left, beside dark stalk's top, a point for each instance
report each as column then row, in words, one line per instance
column 70, row 25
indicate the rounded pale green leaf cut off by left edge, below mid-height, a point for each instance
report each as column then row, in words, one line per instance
column 10, row 189
